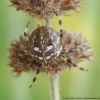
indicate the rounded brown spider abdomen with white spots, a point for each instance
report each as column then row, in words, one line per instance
column 46, row 43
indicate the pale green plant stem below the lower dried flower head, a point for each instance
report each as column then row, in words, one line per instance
column 54, row 86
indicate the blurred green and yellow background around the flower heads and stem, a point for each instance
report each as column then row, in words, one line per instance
column 73, row 83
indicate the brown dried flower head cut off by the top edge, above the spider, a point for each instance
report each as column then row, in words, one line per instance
column 46, row 8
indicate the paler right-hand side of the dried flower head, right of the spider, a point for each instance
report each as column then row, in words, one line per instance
column 77, row 47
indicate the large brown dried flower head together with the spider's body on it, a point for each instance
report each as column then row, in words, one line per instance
column 45, row 51
